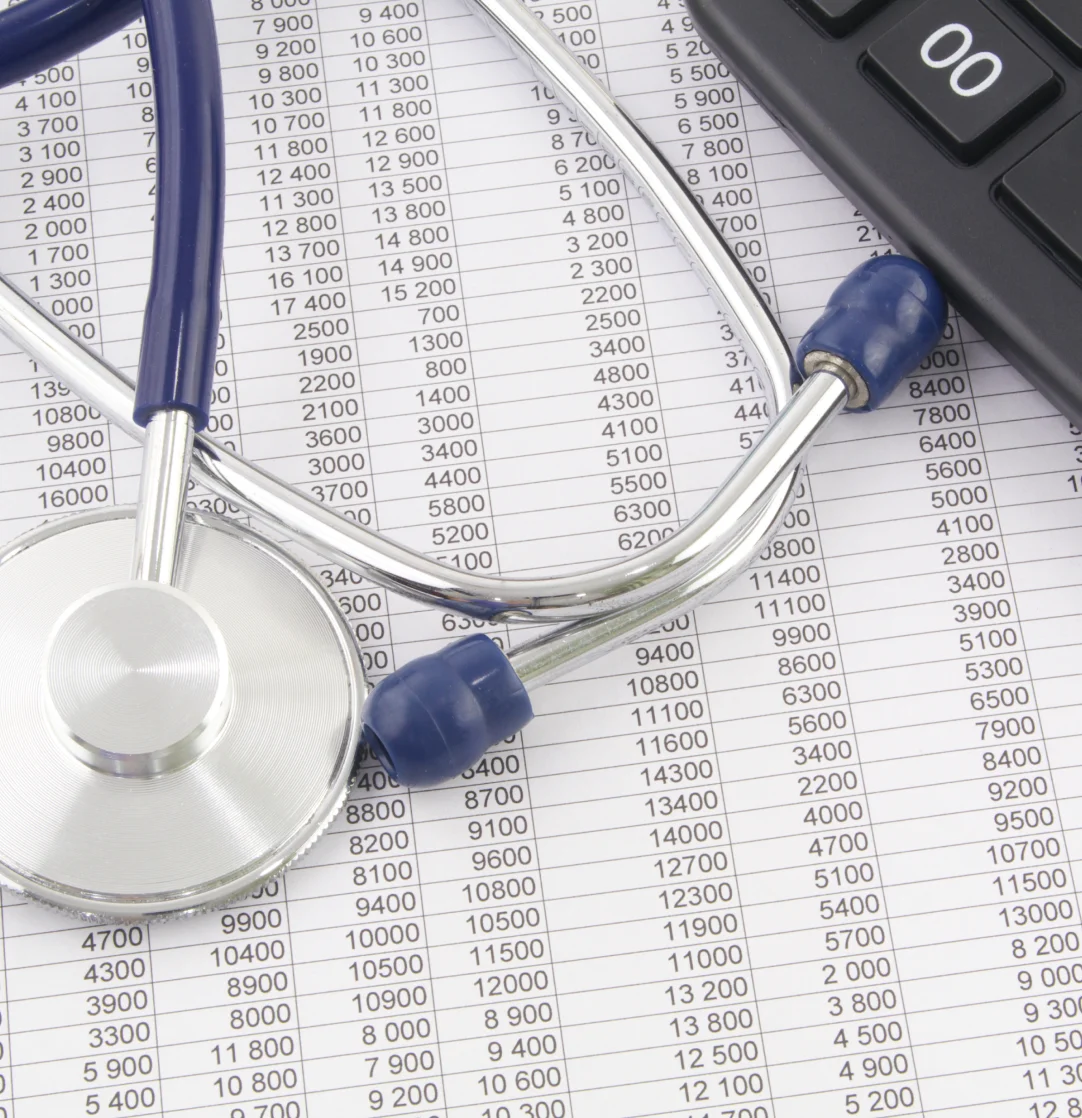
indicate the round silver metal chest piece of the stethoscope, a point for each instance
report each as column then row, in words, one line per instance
column 166, row 749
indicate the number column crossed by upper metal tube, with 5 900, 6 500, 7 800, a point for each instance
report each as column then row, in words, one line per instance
column 714, row 408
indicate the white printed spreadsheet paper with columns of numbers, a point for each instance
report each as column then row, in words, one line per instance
column 812, row 852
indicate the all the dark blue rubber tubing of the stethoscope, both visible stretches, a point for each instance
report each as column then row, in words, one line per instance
column 181, row 329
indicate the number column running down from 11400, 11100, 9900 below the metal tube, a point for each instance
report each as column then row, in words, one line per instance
column 810, row 877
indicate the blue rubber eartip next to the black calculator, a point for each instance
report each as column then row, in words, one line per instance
column 884, row 319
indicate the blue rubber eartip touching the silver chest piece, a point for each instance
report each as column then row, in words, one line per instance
column 436, row 717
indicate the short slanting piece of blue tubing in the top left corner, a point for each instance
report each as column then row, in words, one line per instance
column 39, row 34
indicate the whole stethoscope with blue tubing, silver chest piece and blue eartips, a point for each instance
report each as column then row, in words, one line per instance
column 183, row 705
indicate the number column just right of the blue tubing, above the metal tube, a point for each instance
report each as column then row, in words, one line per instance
column 292, row 335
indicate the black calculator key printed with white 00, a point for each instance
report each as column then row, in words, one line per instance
column 962, row 72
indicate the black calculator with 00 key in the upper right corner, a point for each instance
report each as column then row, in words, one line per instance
column 957, row 128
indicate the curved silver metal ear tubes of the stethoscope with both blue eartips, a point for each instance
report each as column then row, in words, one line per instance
column 432, row 719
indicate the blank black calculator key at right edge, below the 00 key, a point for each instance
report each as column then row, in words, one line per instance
column 1043, row 191
